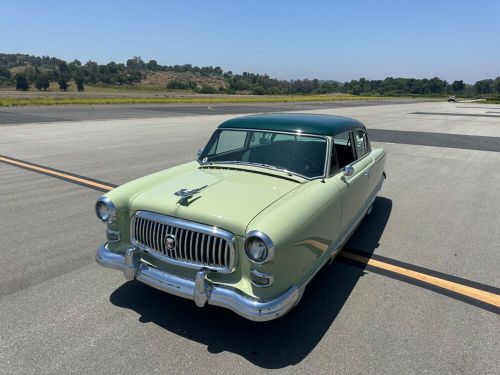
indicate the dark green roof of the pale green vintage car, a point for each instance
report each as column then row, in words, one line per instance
column 295, row 122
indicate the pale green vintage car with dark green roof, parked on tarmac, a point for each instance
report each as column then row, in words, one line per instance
column 269, row 200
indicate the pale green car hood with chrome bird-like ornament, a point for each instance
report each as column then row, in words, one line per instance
column 230, row 200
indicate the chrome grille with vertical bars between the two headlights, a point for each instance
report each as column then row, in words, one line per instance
column 196, row 245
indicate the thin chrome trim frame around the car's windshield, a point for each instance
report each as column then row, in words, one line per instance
column 326, row 162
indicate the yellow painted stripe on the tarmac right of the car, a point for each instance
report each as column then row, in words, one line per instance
column 480, row 295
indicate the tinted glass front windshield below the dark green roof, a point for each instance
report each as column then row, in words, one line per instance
column 298, row 154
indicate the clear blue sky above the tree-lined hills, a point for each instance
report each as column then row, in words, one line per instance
column 339, row 40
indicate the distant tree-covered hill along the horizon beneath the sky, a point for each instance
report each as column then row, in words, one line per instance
column 27, row 72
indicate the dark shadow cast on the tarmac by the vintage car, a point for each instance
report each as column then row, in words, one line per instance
column 271, row 345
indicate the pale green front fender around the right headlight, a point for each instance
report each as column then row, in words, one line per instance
column 302, row 226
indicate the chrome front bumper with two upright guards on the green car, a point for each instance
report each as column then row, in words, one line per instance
column 199, row 290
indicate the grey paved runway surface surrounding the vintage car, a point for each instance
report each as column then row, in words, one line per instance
column 397, row 301
